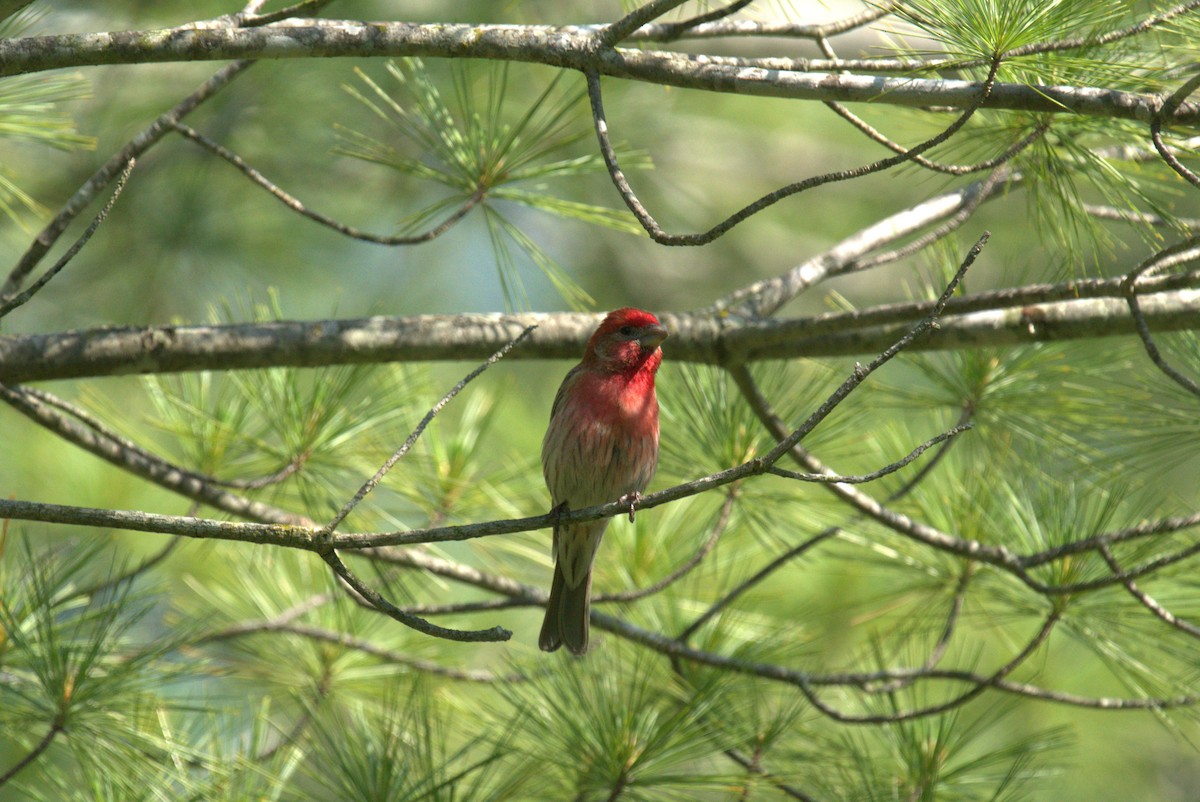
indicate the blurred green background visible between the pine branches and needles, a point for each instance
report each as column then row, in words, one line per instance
column 190, row 235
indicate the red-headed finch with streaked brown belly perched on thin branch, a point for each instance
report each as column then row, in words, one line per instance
column 602, row 446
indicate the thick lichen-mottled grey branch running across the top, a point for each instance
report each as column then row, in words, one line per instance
column 572, row 47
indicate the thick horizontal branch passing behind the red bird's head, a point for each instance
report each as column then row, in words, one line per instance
column 1006, row 318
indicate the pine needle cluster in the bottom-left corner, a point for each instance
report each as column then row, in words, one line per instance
column 79, row 669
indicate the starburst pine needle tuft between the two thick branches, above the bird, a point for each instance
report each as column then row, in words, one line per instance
column 473, row 147
